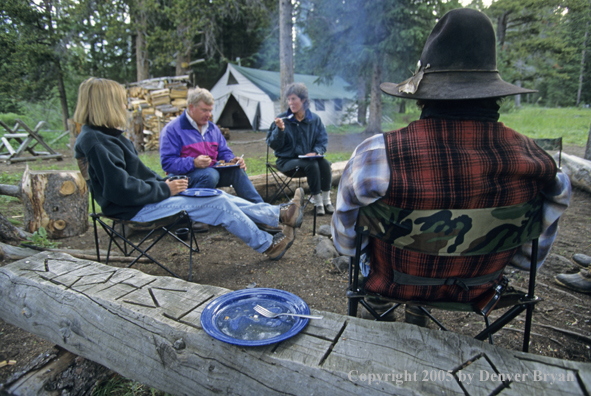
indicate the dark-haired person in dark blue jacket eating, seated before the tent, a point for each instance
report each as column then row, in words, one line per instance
column 300, row 133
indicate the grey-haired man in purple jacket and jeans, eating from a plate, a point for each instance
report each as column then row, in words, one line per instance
column 192, row 145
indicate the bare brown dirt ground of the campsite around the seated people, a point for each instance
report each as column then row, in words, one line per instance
column 562, row 321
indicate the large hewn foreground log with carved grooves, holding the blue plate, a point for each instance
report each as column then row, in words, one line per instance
column 148, row 329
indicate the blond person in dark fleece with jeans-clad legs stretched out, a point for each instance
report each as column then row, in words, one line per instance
column 126, row 189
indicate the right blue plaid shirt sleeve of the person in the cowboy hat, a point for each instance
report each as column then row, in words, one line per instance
column 556, row 200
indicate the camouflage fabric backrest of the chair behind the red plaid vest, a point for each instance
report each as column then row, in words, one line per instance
column 456, row 232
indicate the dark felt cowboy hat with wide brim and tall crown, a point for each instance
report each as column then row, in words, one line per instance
column 459, row 61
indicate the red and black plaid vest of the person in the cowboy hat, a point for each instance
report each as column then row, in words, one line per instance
column 445, row 164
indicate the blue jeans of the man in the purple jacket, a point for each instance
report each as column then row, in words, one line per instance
column 235, row 177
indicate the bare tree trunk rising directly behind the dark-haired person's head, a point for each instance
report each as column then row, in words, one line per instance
column 285, row 48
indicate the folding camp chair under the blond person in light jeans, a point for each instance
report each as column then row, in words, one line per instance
column 158, row 229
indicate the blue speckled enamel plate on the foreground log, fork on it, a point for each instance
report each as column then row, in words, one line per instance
column 231, row 318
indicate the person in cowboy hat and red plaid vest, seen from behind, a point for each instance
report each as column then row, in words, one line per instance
column 457, row 156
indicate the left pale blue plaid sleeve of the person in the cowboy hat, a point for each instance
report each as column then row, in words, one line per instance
column 365, row 180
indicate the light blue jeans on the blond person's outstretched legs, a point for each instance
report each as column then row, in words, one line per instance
column 235, row 214
